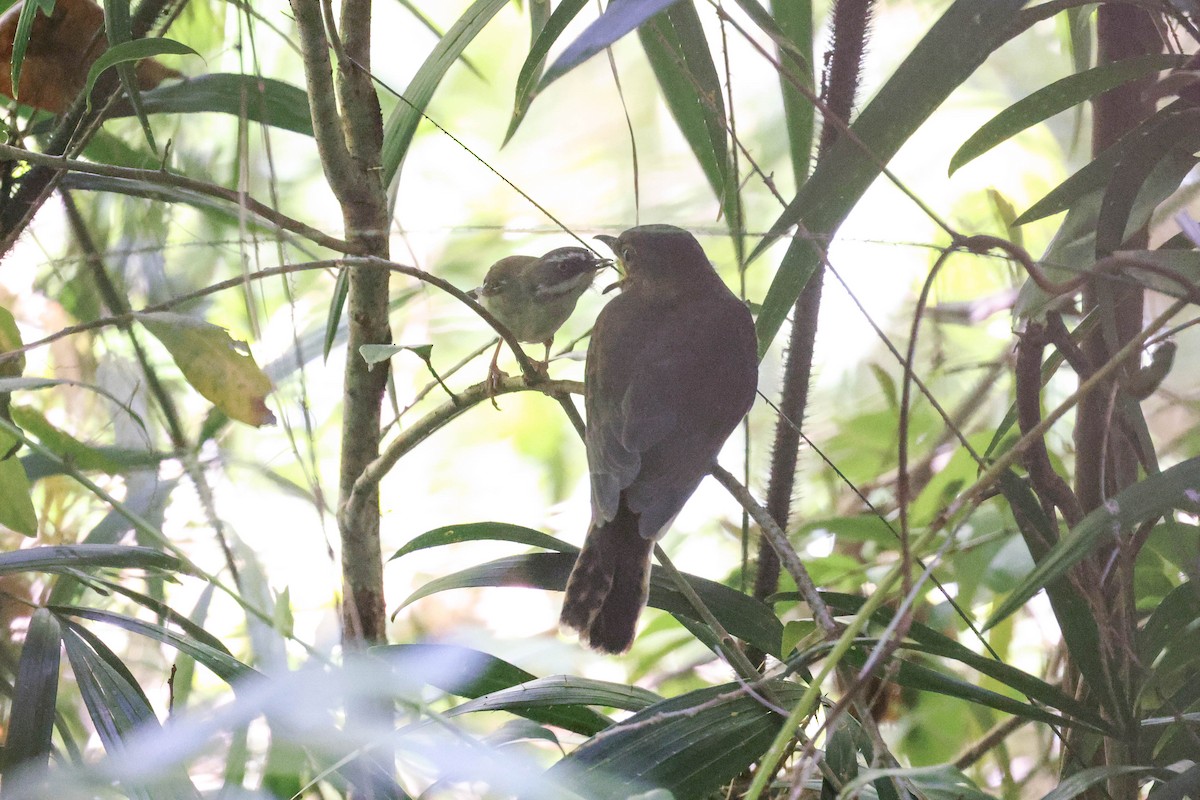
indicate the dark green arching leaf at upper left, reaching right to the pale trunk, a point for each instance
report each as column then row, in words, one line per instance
column 260, row 100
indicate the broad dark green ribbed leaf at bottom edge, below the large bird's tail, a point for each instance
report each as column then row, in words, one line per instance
column 689, row 745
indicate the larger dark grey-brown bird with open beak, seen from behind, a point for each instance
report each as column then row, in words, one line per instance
column 671, row 370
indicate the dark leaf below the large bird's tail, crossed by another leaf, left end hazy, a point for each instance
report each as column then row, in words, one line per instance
column 475, row 675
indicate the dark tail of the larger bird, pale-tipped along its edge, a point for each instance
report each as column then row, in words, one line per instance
column 609, row 585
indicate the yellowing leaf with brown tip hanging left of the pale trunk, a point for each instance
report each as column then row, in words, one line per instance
column 219, row 368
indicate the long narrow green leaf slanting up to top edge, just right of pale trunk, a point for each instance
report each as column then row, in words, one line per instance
column 401, row 127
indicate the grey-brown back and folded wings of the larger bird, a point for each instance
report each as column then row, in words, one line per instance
column 662, row 363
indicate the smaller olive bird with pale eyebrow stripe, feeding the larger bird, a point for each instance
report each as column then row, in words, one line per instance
column 533, row 297
